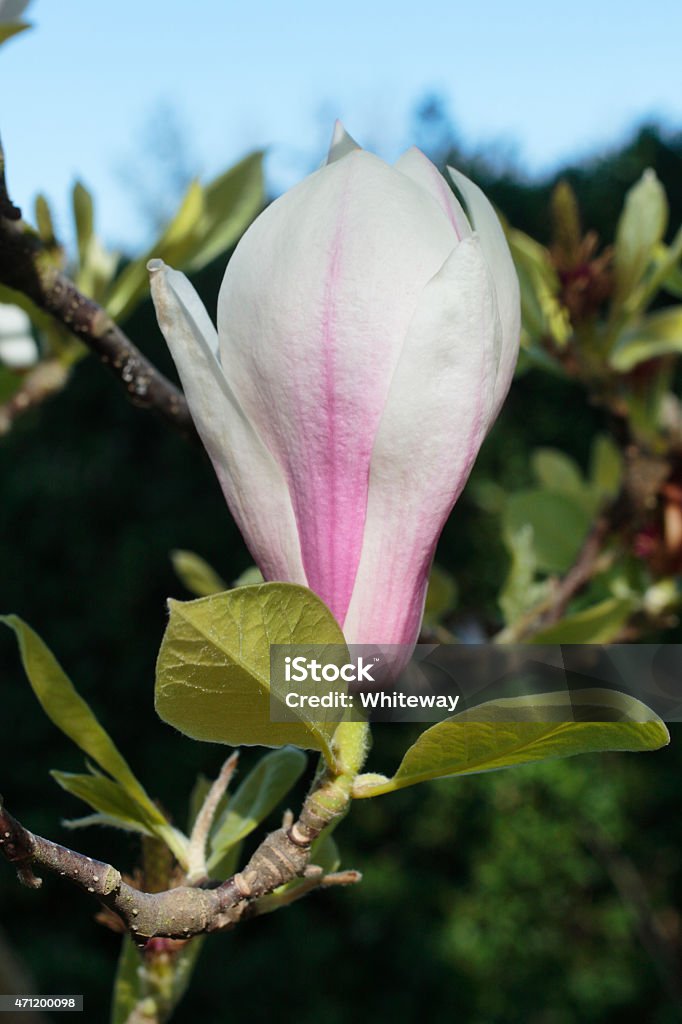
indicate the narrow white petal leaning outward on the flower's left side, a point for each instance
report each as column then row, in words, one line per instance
column 251, row 481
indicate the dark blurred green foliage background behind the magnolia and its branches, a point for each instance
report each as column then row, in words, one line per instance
column 484, row 902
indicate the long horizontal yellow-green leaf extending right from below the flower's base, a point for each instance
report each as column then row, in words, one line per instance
column 520, row 731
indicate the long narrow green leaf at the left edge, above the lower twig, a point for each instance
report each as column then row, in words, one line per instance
column 73, row 716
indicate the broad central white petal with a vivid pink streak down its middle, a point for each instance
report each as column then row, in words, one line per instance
column 313, row 312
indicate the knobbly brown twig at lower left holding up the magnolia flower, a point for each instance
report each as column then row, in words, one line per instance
column 188, row 911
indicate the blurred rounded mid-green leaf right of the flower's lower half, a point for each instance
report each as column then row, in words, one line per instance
column 560, row 526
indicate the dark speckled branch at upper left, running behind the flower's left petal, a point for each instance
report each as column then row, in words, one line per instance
column 26, row 266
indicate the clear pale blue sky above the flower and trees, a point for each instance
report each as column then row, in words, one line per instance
column 549, row 81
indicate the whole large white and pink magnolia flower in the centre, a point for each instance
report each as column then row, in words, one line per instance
column 368, row 332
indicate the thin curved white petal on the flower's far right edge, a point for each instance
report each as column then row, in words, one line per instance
column 500, row 263
